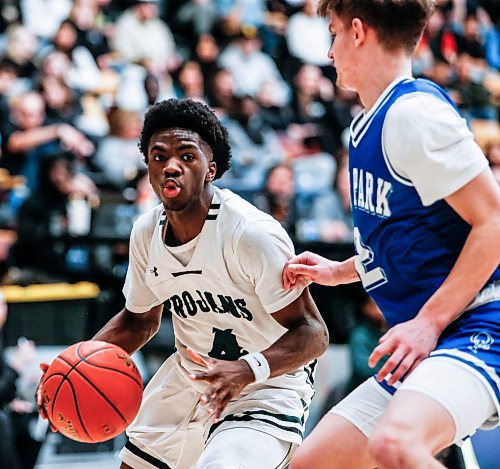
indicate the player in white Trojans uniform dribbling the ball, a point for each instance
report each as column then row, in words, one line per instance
column 237, row 390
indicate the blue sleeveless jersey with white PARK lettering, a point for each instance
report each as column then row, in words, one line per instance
column 405, row 250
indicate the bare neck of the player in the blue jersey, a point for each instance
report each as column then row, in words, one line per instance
column 378, row 77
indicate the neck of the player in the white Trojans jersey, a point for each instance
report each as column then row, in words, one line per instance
column 185, row 225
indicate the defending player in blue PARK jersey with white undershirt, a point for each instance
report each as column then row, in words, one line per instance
column 426, row 213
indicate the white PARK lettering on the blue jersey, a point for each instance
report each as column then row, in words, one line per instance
column 370, row 194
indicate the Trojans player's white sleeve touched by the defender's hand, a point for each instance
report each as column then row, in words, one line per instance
column 262, row 251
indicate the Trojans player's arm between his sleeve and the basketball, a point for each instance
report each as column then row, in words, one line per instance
column 131, row 330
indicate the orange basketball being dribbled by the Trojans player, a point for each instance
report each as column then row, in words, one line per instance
column 92, row 391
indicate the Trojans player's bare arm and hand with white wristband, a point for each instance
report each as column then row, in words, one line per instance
column 305, row 340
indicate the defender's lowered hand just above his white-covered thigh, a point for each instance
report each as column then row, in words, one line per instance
column 406, row 344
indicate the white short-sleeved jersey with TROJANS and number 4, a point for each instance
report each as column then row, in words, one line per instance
column 219, row 308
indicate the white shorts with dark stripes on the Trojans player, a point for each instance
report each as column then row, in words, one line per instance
column 173, row 429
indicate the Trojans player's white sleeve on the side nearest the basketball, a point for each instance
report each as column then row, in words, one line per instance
column 138, row 297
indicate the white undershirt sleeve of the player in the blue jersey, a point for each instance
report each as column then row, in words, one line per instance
column 426, row 142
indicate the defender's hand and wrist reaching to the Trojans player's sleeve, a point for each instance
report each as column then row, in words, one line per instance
column 309, row 267
